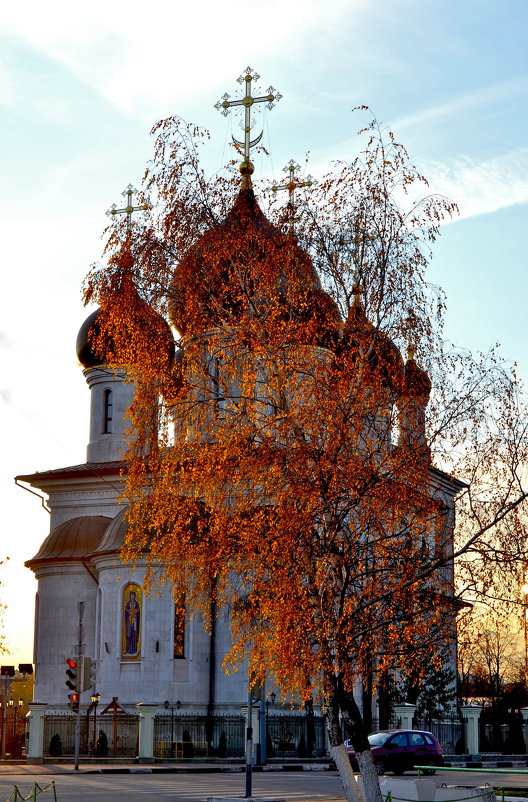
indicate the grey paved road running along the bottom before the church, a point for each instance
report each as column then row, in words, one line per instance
column 143, row 787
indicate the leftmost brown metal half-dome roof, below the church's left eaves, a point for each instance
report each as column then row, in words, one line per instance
column 71, row 541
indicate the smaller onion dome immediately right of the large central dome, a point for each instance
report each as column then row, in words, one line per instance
column 384, row 363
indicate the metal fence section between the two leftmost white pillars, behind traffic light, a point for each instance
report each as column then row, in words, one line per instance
column 106, row 736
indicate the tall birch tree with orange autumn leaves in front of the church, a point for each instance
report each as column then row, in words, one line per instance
column 286, row 461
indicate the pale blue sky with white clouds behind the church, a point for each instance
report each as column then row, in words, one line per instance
column 80, row 88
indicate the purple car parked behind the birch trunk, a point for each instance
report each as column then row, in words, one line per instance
column 401, row 750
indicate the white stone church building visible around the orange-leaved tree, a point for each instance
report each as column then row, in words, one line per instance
column 160, row 691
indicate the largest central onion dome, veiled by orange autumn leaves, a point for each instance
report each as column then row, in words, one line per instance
column 245, row 264
